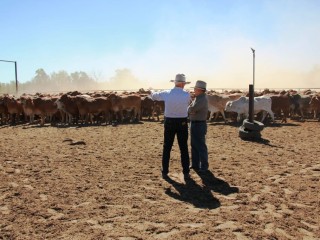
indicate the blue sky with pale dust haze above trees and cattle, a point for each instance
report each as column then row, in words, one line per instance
column 205, row 39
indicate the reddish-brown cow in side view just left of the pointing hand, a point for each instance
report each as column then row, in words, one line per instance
column 126, row 103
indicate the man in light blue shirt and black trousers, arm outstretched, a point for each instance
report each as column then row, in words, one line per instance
column 176, row 102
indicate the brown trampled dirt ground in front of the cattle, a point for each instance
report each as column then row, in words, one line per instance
column 104, row 182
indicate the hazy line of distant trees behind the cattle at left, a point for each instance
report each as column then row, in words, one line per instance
column 63, row 81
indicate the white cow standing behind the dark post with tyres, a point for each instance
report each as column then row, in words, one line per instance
column 241, row 106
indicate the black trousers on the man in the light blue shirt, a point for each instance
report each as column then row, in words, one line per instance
column 172, row 127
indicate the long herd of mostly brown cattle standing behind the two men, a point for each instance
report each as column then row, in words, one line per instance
column 110, row 107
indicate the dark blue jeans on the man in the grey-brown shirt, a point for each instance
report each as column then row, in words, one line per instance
column 199, row 151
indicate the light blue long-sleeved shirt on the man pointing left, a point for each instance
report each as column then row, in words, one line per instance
column 176, row 102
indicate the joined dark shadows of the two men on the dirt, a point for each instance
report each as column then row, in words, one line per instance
column 200, row 196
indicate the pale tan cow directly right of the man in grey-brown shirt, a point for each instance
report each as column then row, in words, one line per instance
column 217, row 104
